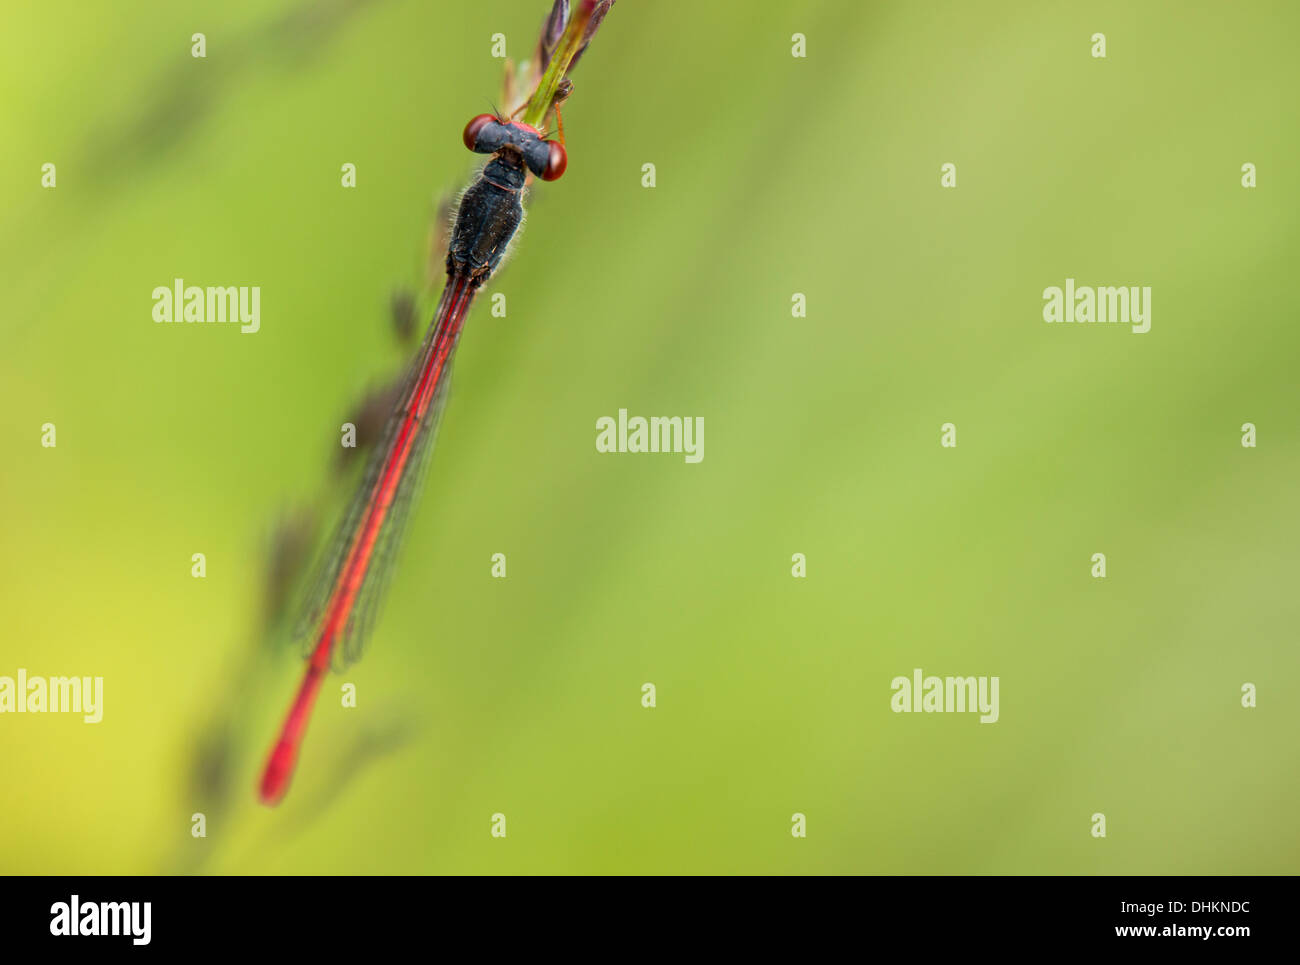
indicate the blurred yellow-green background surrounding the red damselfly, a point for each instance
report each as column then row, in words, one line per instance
column 775, row 176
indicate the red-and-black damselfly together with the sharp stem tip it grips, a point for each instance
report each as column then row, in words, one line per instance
column 353, row 577
